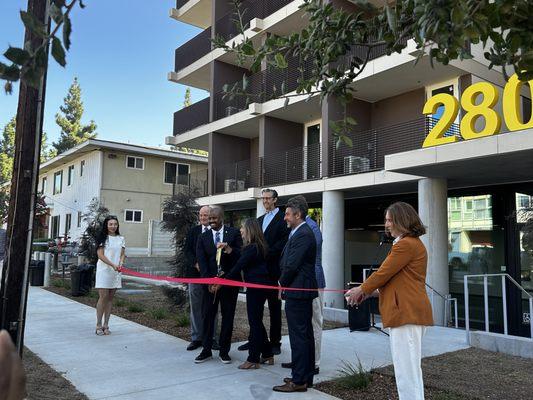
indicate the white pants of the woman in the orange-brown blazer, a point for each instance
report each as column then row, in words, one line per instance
column 406, row 349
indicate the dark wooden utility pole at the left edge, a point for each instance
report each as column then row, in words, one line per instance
column 14, row 288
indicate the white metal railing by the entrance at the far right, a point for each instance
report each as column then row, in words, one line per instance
column 486, row 302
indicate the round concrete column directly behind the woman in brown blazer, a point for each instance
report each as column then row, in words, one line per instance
column 432, row 208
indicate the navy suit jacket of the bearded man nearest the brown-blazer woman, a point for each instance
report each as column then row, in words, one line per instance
column 298, row 264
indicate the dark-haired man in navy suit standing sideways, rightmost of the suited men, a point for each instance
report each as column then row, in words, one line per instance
column 298, row 271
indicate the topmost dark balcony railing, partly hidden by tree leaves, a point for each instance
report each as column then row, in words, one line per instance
column 250, row 9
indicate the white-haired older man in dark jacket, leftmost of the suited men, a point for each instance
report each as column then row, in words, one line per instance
column 196, row 292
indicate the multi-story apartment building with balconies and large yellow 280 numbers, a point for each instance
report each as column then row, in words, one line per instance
column 256, row 142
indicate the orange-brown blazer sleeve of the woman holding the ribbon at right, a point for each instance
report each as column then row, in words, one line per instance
column 398, row 258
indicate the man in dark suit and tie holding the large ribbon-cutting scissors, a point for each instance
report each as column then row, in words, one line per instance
column 228, row 242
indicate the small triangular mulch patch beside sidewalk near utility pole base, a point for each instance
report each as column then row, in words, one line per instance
column 44, row 383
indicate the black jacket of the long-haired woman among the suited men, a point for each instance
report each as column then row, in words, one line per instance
column 253, row 264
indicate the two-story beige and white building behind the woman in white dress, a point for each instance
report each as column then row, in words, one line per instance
column 131, row 181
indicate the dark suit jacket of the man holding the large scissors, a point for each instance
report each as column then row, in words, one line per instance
column 206, row 252
